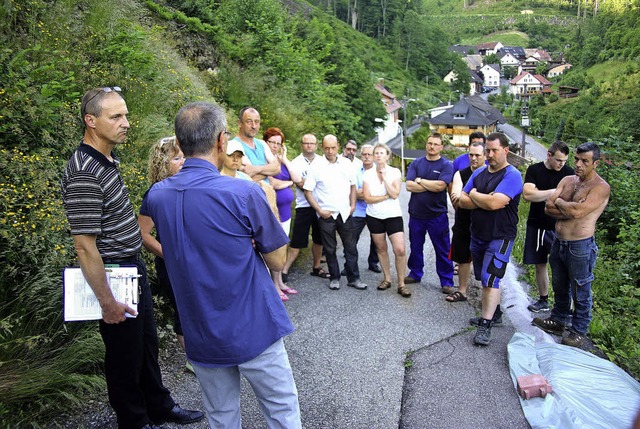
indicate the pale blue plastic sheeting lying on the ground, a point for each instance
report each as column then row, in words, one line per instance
column 588, row 392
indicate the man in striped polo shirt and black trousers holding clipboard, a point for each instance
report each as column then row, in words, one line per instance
column 105, row 231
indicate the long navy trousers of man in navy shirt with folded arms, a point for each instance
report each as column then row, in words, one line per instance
column 438, row 229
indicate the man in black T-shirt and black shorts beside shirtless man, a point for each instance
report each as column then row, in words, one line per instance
column 540, row 182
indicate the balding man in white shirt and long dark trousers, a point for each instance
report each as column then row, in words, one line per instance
column 330, row 189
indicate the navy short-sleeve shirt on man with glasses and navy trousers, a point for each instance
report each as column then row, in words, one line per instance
column 427, row 205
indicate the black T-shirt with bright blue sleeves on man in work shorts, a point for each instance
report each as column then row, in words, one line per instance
column 499, row 224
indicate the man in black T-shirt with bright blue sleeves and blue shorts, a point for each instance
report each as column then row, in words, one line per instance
column 493, row 194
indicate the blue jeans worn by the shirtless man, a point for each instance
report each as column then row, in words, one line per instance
column 572, row 264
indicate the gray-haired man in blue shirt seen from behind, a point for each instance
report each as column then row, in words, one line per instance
column 233, row 319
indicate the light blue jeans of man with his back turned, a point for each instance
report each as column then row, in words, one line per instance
column 272, row 381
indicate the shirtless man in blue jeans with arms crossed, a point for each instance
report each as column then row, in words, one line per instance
column 577, row 203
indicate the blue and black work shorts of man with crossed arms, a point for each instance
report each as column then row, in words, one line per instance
column 490, row 259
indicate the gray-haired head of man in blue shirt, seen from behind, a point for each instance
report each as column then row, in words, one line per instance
column 198, row 127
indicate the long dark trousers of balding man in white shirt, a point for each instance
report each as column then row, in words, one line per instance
column 328, row 229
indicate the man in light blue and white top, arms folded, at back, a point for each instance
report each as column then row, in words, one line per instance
column 259, row 162
